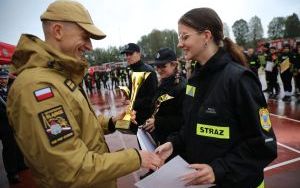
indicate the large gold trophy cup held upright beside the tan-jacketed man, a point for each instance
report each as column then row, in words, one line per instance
column 137, row 79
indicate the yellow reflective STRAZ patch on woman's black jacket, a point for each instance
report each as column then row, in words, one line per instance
column 213, row 131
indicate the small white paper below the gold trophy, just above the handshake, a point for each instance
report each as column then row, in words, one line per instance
column 145, row 140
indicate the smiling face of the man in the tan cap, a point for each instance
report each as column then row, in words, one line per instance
column 75, row 41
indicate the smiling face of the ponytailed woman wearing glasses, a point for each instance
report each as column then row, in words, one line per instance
column 191, row 42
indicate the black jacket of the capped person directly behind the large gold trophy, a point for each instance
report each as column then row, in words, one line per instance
column 143, row 102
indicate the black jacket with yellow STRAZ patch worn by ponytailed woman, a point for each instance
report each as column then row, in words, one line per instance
column 227, row 124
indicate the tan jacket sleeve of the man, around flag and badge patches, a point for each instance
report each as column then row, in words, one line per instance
column 69, row 162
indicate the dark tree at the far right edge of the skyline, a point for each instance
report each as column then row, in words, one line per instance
column 292, row 26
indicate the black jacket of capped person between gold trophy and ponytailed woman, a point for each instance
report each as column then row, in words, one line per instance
column 169, row 118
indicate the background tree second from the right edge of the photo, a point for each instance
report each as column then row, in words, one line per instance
column 276, row 28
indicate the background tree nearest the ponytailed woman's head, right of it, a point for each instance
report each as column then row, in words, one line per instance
column 240, row 30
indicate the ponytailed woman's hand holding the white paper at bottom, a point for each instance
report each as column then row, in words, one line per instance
column 203, row 175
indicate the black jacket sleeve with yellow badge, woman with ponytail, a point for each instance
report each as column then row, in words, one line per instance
column 258, row 144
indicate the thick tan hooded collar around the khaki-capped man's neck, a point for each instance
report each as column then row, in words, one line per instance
column 32, row 52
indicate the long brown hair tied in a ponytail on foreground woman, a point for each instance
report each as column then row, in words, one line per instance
column 202, row 19
